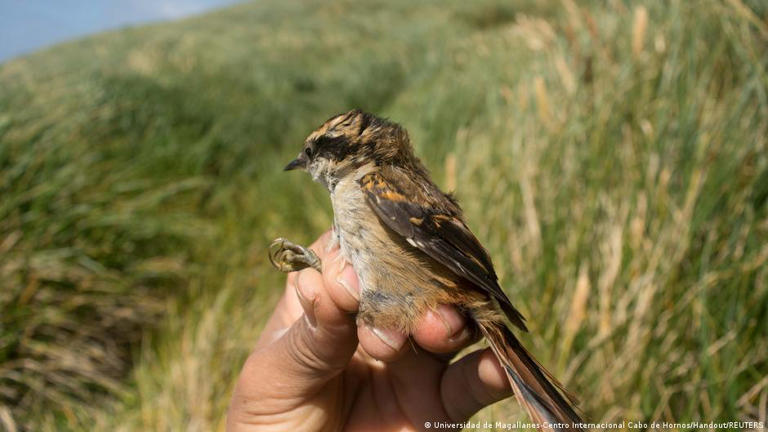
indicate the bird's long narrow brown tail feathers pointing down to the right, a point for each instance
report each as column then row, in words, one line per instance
column 535, row 389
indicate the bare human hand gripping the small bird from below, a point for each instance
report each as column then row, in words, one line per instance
column 314, row 369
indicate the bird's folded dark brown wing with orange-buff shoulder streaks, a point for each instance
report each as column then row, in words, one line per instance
column 435, row 228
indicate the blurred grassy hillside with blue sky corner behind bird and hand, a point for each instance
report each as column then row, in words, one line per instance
column 610, row 154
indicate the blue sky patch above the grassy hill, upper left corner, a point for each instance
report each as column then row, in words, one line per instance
column 28, row 25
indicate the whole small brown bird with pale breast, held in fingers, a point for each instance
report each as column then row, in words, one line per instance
column 411, row 249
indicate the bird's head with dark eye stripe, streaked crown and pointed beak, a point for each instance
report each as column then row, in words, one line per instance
column 349, row 141
